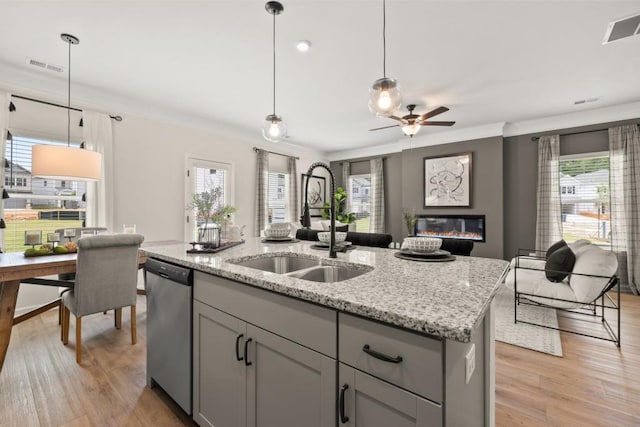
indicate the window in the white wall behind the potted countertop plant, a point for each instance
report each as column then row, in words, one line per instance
column 205, row 175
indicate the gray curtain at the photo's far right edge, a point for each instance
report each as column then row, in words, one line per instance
column 624, row 188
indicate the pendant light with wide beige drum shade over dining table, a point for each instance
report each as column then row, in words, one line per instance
column 66, row 163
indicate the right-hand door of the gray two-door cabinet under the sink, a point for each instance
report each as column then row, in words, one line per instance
column 288, row 385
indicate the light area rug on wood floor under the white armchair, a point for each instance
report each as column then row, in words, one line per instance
column 523, row 335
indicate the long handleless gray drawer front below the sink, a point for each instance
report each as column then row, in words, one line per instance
column 307, row 324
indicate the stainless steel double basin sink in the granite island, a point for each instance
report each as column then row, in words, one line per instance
column 314, row 269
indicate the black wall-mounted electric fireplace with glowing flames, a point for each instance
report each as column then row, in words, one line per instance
column 464, row 227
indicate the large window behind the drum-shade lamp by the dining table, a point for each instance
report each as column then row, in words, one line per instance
column 37, row 204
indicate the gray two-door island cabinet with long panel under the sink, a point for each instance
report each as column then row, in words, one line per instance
column 245, row 375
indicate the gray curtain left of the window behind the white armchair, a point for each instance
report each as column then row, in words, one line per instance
column 549, row 209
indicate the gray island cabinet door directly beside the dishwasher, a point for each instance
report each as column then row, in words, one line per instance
column 219, row 378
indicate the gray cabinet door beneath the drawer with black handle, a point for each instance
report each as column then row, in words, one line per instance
column 365, row 401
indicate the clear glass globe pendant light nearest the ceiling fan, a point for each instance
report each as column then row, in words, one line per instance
column 384, row 94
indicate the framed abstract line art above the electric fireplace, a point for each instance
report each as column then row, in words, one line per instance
column 447, row 180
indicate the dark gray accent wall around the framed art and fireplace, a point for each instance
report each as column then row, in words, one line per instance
column 404, row 185
